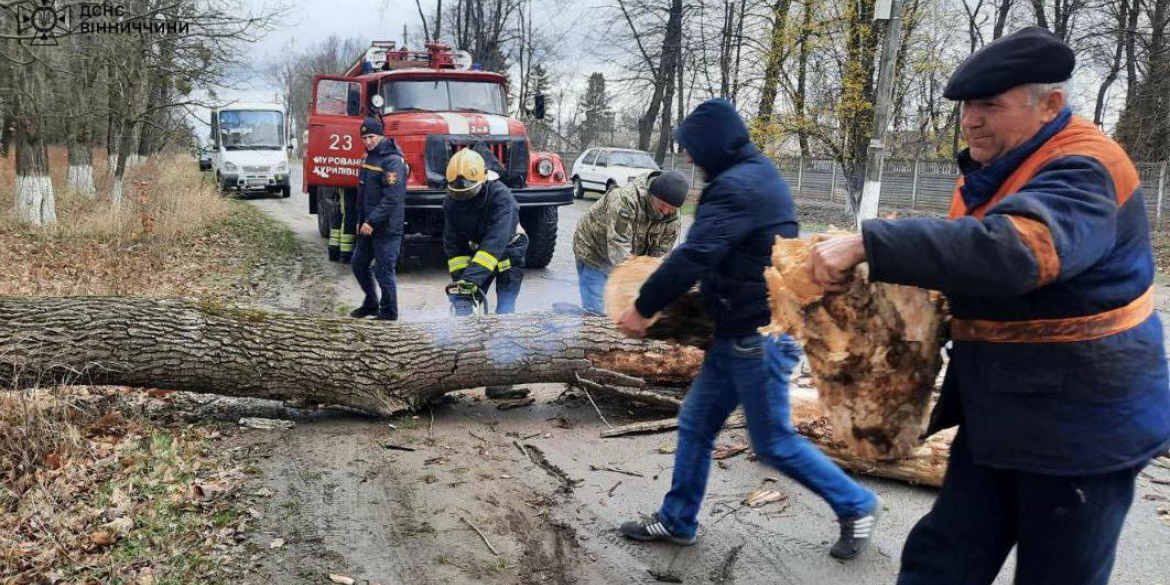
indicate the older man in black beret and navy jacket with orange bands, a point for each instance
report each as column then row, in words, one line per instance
column 1058, row 374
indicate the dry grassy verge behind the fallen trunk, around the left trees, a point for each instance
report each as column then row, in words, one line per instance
column 175, row 236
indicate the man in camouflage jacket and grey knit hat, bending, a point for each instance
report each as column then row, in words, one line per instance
column 639, row 219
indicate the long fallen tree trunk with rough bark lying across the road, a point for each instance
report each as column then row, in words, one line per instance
column 378, row 368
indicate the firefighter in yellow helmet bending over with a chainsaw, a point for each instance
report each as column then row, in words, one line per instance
column 483, row 243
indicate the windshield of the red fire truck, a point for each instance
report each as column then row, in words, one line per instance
column 445, row 95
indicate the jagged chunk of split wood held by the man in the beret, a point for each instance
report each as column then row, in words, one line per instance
column 875, row 350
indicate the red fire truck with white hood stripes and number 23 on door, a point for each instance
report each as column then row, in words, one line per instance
column 433, row 104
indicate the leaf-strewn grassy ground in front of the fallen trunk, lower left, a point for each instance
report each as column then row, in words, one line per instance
column 90, row 495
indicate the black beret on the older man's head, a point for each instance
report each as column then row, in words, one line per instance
column 1031, row 56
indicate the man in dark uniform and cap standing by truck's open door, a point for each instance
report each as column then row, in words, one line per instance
column 378, row 212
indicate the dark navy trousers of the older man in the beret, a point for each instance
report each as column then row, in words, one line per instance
column 1065, row 529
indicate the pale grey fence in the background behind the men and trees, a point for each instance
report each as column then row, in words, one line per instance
column 919, row 185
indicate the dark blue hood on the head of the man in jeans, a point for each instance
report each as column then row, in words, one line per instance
column 715, row 137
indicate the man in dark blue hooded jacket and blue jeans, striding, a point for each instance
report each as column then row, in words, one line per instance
column 744, row 209
